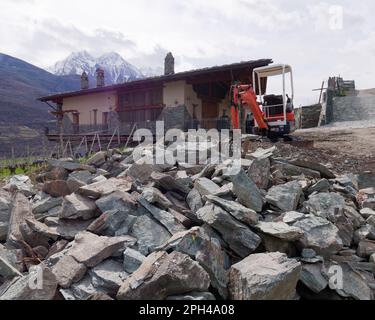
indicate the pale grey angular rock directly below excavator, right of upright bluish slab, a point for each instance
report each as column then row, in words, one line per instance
column 285, row 197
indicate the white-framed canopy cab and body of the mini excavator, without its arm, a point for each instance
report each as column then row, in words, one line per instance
column 278, row 109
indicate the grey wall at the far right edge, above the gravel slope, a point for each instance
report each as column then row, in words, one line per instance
column 353, row 108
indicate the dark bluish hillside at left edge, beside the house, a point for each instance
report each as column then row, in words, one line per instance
column 20, row 85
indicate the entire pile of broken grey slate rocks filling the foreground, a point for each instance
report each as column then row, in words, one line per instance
column 116, row 228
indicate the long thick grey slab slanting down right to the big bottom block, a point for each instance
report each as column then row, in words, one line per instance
column 239, row 237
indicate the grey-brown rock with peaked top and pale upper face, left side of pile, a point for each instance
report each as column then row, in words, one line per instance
column 76, row 206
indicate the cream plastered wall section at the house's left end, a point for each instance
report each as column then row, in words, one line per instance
column 103, row 102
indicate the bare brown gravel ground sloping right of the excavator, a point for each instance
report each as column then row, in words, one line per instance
column 347, row 147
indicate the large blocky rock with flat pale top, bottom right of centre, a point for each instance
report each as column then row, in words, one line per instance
column 264, row 276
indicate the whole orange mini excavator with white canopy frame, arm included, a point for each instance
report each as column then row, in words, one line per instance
column 273, row 114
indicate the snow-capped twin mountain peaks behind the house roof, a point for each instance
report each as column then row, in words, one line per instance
column 116, row 68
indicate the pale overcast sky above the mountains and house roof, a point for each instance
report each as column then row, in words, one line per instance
column 320, row 39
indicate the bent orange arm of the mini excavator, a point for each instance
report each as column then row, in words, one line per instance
column 244, row 95
